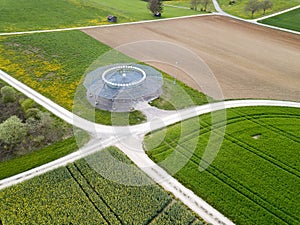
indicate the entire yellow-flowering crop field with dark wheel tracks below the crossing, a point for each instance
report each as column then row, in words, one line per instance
column 77, row 194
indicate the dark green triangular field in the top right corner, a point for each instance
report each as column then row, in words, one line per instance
column 289, row 20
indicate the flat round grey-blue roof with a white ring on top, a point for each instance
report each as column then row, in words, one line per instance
column 123, row 81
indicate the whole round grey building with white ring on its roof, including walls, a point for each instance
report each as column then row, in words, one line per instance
column 119, row 87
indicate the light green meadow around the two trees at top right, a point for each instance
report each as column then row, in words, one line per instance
column 238, row 9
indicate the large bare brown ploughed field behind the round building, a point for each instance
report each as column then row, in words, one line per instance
column 248, row 61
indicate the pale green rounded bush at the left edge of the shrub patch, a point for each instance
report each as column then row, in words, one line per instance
column 12, row 131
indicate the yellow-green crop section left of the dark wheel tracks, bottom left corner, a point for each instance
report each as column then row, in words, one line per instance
column 52, row 198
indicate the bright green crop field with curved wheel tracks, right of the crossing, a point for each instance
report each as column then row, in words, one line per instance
column 255, row 177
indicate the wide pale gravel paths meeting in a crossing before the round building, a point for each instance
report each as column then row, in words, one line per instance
column 129, row 139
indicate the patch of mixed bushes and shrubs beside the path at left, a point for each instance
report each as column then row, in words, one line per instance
column 24, row 126
